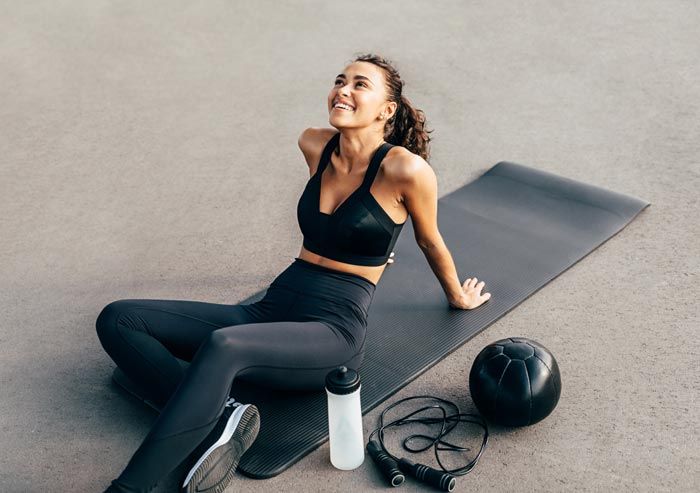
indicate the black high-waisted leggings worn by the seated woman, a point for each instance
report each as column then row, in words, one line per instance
column 311, row 320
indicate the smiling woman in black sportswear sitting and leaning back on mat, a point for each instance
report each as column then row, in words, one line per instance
column 365, row 181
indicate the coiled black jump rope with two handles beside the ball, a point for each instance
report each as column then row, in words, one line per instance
column 394, row 468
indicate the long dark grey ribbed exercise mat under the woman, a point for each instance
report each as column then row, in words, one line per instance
column 515, row 227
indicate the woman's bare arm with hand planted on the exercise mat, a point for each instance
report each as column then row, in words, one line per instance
column 420, row 199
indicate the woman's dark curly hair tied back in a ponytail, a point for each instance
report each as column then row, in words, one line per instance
column 406, row 127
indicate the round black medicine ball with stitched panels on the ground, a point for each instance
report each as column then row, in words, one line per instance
column 515, row 382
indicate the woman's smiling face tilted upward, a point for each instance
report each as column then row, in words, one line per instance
column 361, row 85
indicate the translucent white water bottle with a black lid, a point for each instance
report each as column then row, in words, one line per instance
column 345, row 418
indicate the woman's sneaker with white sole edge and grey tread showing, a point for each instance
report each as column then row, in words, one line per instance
column 235, row 432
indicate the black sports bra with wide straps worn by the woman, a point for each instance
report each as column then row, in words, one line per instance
column 359, row 231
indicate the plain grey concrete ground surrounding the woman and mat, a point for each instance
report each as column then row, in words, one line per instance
column 148, row 150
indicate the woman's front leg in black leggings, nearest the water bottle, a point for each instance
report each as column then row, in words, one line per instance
column 282, row 354
